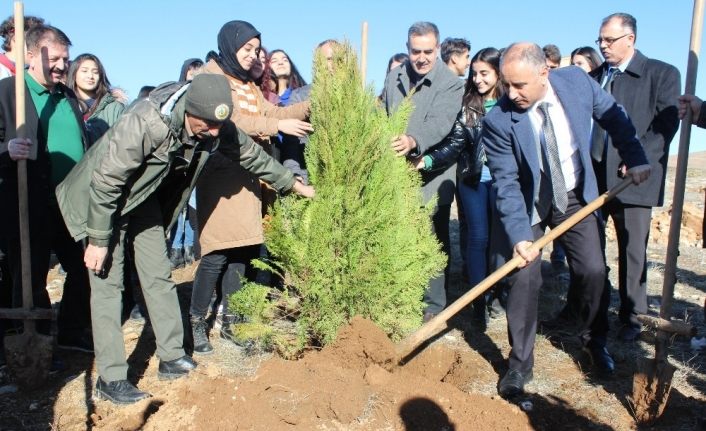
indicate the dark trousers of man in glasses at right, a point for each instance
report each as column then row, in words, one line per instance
column 632, row 228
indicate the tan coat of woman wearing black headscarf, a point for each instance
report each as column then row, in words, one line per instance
column 228, row 198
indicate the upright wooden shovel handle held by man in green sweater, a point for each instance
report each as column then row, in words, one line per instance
column 22, row 189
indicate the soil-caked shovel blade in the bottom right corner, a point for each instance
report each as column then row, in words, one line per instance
column 650, row 390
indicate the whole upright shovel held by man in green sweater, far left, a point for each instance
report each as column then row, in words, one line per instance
column 28, row 354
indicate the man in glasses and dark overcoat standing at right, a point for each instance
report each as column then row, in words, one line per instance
column 648, row 90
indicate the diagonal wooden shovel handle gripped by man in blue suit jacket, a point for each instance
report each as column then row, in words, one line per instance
column 409, row 346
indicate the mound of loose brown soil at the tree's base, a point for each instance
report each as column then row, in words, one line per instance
column 349, row 385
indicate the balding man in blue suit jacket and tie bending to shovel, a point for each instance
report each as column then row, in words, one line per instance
column 537, row 142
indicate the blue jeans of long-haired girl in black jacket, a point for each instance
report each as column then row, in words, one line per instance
column 476, row 206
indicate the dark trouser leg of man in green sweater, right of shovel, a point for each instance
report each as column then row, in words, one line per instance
column 75, row 308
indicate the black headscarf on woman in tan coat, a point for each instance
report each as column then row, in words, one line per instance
column 232, row 36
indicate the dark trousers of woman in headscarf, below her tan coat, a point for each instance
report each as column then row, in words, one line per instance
column 224, row 266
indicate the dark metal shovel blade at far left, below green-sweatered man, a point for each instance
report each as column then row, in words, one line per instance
column 28, row 358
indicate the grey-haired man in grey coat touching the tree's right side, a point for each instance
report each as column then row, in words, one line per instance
column 436, row 95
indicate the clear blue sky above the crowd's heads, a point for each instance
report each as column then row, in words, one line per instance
column 145, row 42
